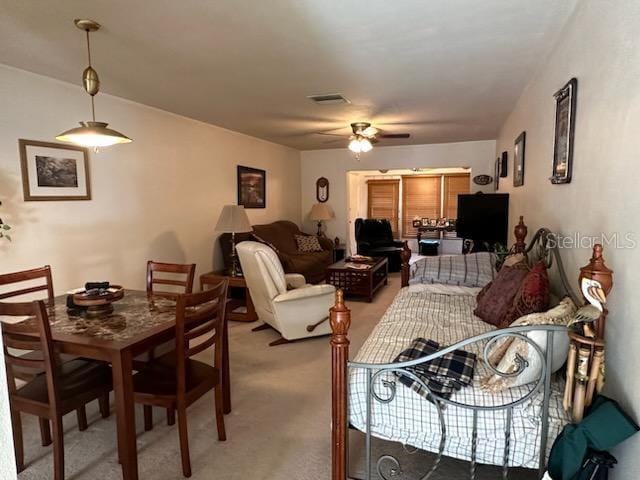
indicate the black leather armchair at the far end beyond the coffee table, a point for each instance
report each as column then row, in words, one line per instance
column 375, row 239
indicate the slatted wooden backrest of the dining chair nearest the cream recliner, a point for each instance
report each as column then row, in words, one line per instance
column 200, row 321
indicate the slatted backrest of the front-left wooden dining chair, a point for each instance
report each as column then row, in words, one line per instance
column 41, row 354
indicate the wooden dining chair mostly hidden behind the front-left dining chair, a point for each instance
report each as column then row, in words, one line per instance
column 11, row 287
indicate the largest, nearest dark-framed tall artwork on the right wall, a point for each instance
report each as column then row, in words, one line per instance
column 565, row 127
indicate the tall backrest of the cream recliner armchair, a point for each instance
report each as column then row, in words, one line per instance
column 263, row 274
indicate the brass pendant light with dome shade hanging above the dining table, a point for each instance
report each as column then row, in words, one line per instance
column 92, row 133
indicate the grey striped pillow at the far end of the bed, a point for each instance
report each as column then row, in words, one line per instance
column 472, row 270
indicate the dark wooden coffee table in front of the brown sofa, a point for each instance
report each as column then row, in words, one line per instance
column 363, row 282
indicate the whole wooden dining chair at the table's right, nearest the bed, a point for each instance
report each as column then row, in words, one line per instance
column 176, row 380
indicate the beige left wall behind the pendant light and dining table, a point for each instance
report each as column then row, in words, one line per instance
column 158, row 197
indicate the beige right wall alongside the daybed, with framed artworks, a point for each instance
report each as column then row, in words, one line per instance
column 601, row 47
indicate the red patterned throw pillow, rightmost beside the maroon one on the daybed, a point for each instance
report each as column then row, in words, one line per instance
column 533, row 295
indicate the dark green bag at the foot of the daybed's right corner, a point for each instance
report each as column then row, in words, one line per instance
column 604, row 426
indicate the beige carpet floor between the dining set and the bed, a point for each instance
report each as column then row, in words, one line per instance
column 279, row 427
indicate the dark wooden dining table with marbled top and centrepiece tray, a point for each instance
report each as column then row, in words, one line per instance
column 138, row 323
